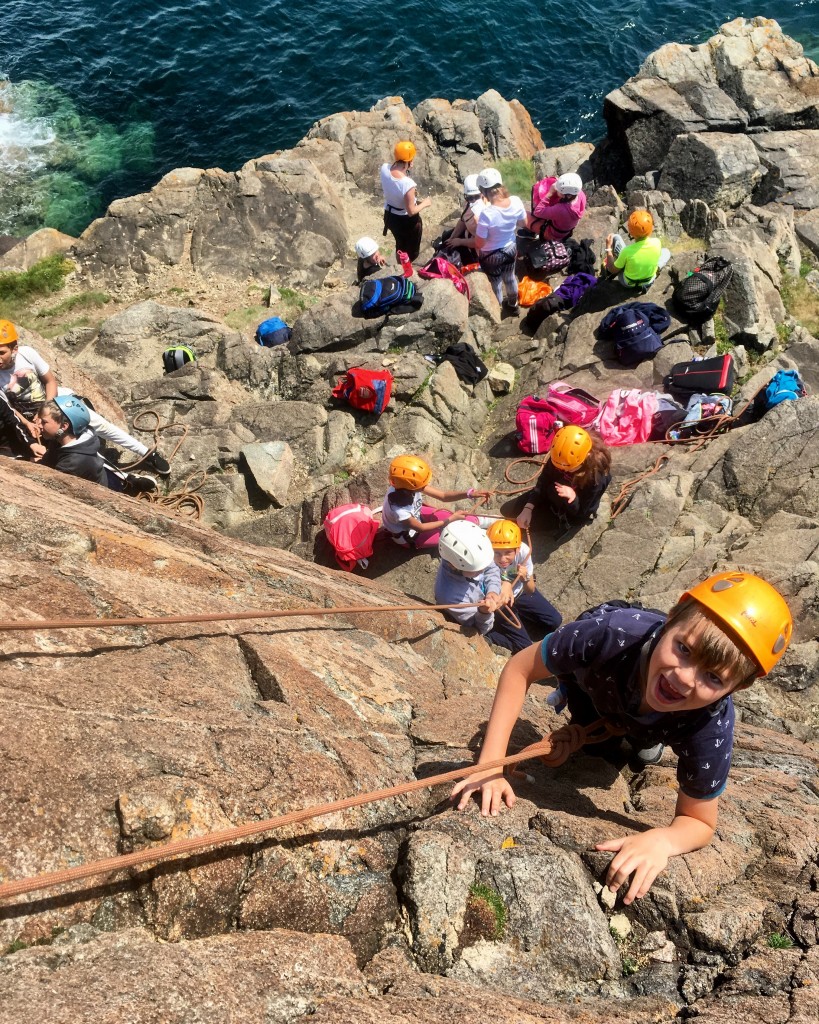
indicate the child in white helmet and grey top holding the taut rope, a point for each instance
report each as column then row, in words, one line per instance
column 468, row 574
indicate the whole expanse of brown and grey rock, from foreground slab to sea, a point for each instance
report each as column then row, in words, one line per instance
column 408, row 910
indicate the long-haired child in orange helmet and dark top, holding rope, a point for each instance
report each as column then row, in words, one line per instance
column 574, row 480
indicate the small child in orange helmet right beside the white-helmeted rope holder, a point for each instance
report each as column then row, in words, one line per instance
column 513, row 558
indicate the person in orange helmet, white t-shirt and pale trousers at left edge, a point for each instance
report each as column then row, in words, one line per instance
column 28, row 382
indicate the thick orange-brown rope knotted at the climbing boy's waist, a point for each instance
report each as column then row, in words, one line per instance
column 552, row 750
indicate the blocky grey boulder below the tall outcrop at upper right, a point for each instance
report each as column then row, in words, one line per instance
column 717, row 168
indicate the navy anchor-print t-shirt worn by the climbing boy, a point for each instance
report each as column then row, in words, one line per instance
column 605, row 653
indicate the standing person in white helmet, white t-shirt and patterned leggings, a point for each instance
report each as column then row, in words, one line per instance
column 495, row 239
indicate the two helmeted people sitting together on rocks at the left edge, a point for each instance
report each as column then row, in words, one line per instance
column 42, row 422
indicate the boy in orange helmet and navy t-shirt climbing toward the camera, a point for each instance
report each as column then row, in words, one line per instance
column 666, row 679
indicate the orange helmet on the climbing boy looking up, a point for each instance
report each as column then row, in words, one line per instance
column 754, row 612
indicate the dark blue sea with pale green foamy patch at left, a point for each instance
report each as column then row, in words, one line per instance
column 102, row 98
